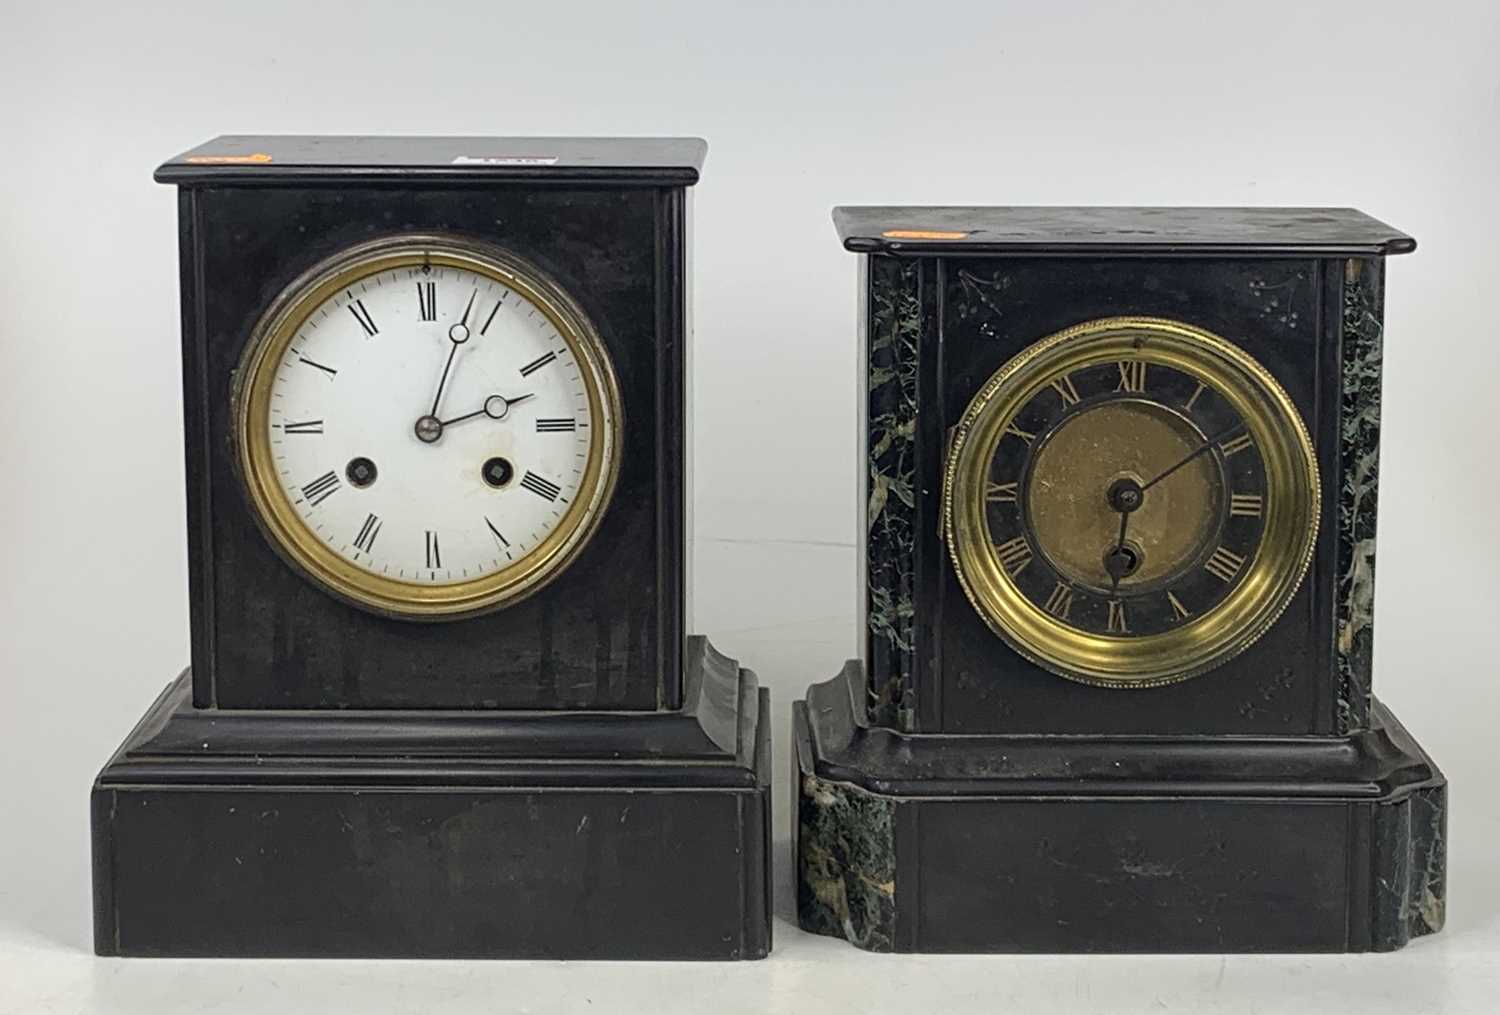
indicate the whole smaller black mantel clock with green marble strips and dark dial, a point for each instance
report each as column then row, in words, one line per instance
column 1118, row 579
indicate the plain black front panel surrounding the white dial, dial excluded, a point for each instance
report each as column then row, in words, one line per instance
column 608, row 632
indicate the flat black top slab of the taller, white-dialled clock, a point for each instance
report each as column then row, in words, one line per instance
column 251, row 160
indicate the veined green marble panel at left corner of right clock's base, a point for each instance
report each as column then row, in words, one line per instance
column 847, row 864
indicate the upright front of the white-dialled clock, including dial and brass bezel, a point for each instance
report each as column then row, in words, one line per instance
column 512, row 545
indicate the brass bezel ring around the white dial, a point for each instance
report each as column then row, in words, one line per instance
column 311, row 557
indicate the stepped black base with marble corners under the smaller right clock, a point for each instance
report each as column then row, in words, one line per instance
column 979, row 843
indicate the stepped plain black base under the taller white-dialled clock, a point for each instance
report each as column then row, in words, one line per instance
column 442, row 834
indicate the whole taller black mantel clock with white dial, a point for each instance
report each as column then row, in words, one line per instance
column 445, row 699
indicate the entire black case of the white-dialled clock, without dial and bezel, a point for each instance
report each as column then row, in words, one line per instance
column 569, row 777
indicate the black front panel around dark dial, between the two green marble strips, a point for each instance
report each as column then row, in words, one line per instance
column 1288, row 314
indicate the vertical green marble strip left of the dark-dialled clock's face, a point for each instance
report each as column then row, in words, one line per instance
column 890, row 545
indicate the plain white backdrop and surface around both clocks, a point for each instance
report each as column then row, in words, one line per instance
column 1384, row 106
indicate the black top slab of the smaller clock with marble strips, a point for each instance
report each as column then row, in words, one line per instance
column 1117, row 232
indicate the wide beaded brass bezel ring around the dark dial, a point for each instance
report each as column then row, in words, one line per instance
column 1274, row 573
